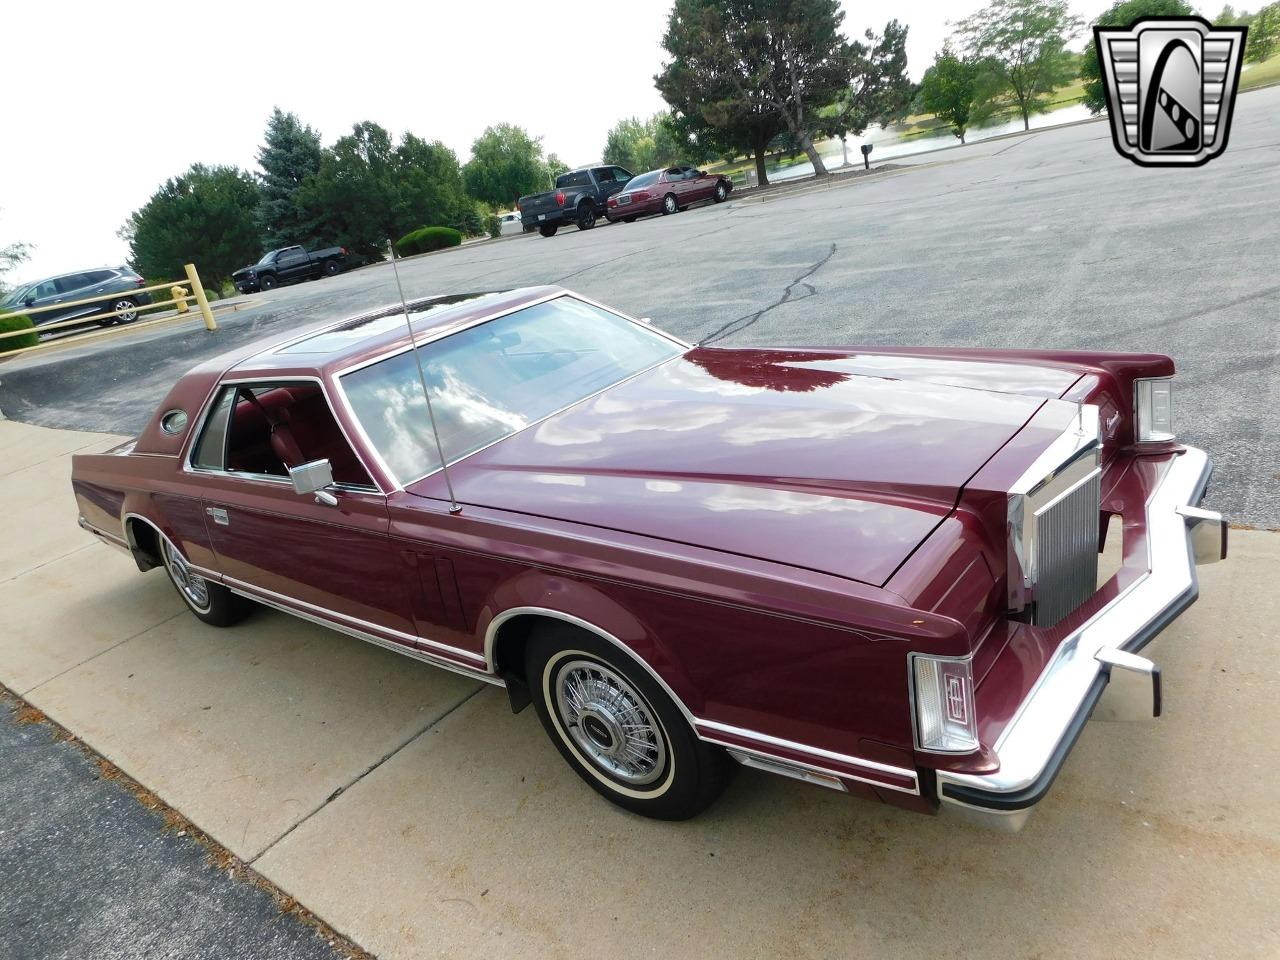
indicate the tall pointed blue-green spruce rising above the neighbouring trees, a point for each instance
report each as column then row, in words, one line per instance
column 290, row 154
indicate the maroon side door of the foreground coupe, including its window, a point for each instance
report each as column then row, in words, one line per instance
column 330, row 561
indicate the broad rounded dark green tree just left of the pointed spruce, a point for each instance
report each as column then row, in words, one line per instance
column 207, row 217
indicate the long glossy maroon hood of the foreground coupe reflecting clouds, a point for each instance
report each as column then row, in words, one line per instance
column 830, row 461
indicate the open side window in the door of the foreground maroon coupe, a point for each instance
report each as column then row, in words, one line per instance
column 268, row 428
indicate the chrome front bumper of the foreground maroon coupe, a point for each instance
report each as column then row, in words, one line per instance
column 1036, row 743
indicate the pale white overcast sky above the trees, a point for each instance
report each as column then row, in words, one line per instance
column 99, row 109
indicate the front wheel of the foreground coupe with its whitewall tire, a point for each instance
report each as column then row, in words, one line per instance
column 618, row 728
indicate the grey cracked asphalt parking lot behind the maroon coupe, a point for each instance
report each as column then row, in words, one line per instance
column 1041, row 241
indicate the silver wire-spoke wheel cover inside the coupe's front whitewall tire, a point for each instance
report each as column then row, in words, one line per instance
column 611, row 723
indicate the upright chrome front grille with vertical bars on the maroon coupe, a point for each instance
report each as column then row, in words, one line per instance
column 1067, row 551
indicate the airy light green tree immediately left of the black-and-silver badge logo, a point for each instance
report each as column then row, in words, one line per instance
column 1026, row 42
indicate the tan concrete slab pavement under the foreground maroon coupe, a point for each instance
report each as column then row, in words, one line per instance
column 418, row 816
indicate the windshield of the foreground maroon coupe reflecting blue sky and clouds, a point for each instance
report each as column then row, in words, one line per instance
column 493, row 380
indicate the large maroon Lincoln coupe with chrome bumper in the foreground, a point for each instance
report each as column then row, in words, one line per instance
column 874, row 570
